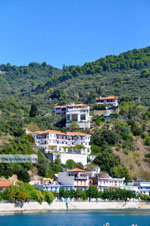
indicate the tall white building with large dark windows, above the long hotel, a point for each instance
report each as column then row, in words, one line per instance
column 79, row 114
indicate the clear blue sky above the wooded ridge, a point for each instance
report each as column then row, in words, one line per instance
column 71, row 32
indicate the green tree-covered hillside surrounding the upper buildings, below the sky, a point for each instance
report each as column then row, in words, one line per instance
column 28, row 94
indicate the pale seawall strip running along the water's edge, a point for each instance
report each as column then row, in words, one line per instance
column 34, row 207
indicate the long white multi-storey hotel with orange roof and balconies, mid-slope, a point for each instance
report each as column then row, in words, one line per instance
column 52, row 141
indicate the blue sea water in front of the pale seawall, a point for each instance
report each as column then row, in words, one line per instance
column 99, row 218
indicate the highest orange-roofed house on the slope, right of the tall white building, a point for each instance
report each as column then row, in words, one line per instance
column 110, row 100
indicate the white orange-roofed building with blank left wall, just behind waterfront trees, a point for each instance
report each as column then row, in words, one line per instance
column 75, row 177
